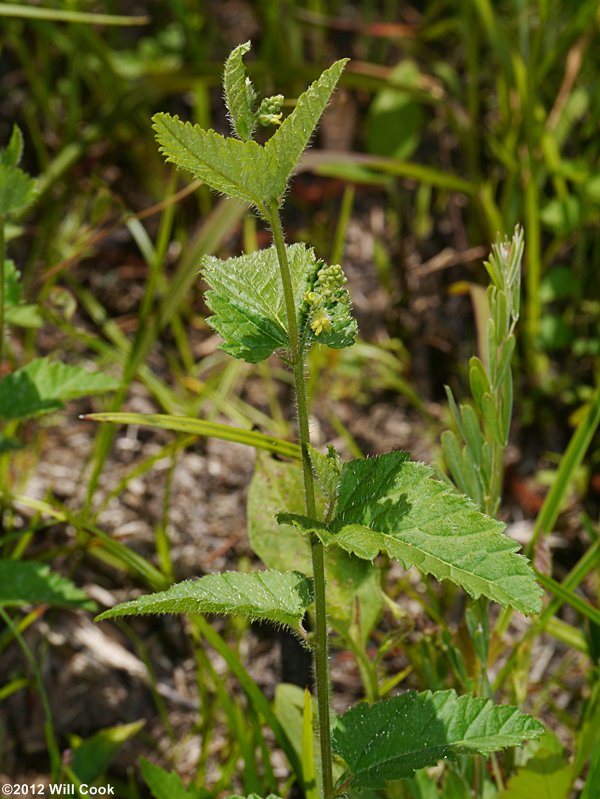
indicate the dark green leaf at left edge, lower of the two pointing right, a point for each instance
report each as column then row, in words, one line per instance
column 27, row 582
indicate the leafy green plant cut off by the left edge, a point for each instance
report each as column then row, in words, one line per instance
column 40, row 387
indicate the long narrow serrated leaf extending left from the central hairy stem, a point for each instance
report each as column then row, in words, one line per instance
column 279, row 597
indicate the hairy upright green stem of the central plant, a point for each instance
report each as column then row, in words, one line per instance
column 318, row 560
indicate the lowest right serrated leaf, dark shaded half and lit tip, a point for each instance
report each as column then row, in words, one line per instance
column 391, row 739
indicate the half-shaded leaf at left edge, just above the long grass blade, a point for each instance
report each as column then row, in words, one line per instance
column 42, row 386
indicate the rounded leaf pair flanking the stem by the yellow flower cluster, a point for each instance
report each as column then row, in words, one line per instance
column 248, row 303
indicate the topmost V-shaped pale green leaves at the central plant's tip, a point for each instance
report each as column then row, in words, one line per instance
column 254, row 173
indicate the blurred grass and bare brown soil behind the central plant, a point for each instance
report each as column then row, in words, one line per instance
column 455, row 121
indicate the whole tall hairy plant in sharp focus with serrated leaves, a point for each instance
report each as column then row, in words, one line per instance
column 283, row 299
